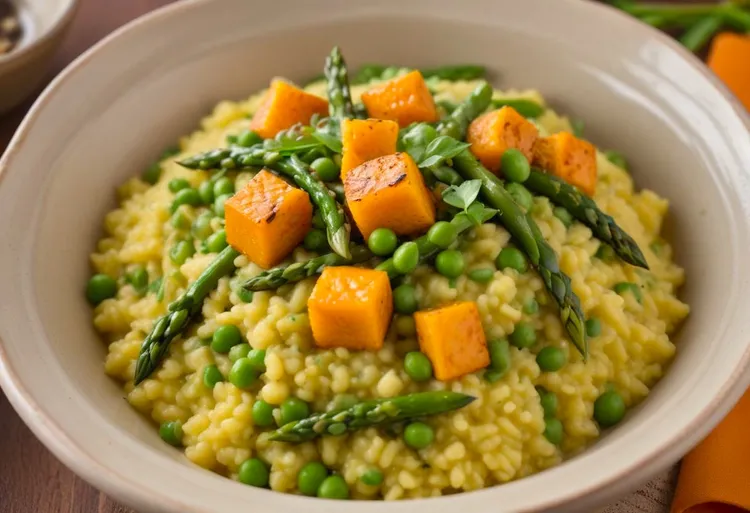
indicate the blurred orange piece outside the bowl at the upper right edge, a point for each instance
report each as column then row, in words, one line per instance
column 729, row 58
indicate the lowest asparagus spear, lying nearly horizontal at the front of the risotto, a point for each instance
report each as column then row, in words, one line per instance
column 371, row 413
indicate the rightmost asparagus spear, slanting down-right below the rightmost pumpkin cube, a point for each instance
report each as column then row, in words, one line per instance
column 586, row 211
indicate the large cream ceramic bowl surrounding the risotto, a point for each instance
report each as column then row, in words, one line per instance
column 114, row 109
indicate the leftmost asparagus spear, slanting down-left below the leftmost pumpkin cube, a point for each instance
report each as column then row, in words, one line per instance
column 181, row 312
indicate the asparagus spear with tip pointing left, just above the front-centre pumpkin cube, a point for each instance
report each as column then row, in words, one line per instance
column 278, row 276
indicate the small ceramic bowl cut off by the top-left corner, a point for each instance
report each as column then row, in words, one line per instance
column 22, row 70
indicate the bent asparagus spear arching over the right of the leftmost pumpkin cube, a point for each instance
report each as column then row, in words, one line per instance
column 293, row 167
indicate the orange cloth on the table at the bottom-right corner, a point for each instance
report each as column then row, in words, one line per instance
column 715, row 476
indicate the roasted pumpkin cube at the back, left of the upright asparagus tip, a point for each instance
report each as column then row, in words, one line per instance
column 283, row 106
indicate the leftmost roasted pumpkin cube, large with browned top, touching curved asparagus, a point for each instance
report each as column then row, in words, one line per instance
column 267, row 219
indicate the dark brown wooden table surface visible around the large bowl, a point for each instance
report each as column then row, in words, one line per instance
column 31, row 479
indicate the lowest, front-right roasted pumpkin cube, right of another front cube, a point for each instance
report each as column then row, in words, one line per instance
column 453, row 339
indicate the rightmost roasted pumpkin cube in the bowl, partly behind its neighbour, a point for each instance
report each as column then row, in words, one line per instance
column 568, row 157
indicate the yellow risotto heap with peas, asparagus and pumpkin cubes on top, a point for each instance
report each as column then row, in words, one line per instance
column 466, row 330
